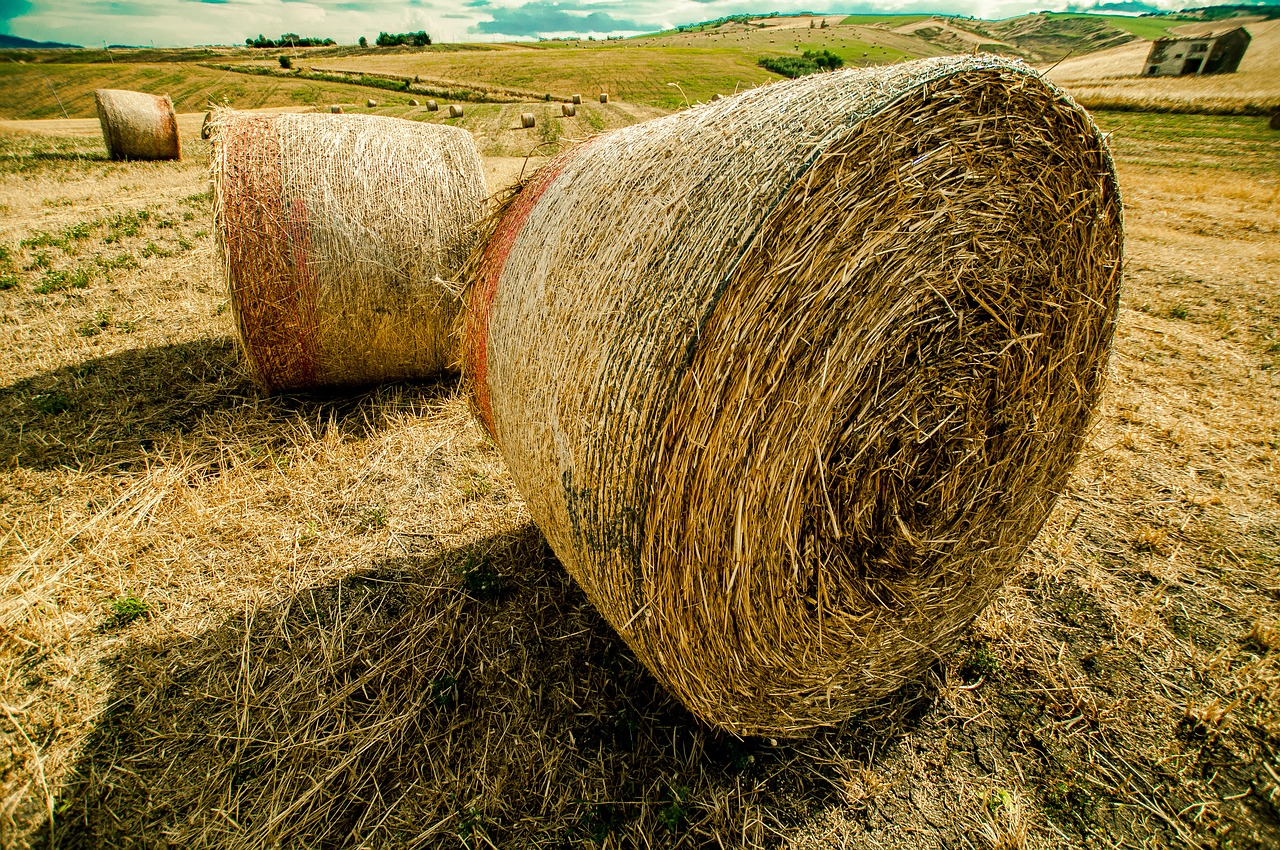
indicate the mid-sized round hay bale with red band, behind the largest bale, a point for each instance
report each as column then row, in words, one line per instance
column 333, row 231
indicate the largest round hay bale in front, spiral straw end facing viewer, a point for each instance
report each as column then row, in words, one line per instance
column 792, row 381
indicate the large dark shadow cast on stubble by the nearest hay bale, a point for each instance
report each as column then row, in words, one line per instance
column 467, row 697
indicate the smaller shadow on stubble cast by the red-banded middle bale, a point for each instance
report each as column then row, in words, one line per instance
column 113, row 410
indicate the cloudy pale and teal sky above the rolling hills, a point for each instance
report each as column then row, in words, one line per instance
column 198, row 22
